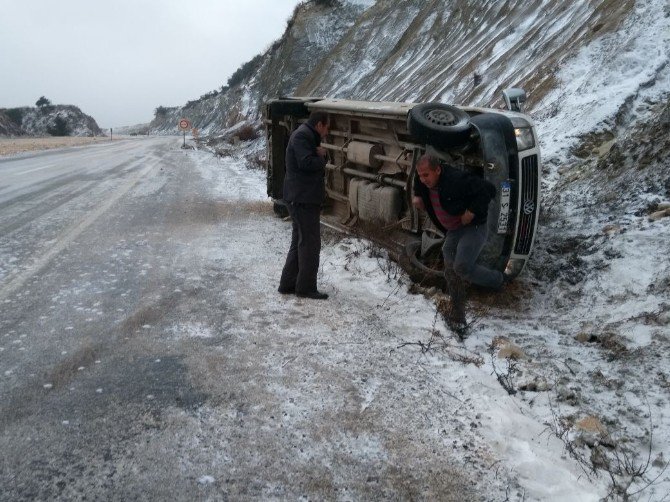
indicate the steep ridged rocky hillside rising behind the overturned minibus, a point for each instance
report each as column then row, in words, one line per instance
column 464, row 51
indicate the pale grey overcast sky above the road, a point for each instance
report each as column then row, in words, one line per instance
column 119, row 60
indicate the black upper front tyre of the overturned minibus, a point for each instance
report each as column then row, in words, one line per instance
column 442, row 126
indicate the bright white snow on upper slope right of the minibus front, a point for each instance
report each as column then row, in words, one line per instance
column 621, row 69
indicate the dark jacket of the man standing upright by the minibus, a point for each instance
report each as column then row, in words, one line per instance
column 305, row 169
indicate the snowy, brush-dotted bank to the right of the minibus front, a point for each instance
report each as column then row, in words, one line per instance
column 594, row 326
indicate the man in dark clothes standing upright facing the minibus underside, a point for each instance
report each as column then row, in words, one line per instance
column 304, row 192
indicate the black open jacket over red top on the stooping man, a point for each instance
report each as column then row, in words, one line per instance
column 458, row 191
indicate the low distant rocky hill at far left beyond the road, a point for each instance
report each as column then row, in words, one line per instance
column 49, row 120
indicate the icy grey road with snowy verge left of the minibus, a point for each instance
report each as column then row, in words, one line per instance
column 145, row 353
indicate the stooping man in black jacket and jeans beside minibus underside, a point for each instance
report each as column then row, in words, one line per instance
column 457, row 203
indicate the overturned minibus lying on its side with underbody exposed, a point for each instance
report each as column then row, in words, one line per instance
column 373, row 148
